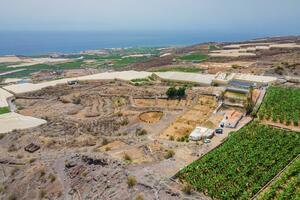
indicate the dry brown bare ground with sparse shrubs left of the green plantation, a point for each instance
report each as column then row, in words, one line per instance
column 90, row 128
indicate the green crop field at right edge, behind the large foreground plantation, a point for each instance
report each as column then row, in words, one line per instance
column 281, row 105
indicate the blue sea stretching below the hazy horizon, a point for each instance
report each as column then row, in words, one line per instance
column 30, row 43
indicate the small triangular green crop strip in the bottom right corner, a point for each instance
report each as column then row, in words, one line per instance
column 286, row 186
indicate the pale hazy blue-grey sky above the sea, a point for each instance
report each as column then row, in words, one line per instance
column 269, row 16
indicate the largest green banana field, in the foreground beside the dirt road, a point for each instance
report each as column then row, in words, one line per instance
column 244, row 163
